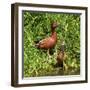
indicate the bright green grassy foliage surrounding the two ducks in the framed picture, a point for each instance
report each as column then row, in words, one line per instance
column 36, row 27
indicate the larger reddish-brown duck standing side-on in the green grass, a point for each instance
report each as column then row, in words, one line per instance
column 49, row 42
